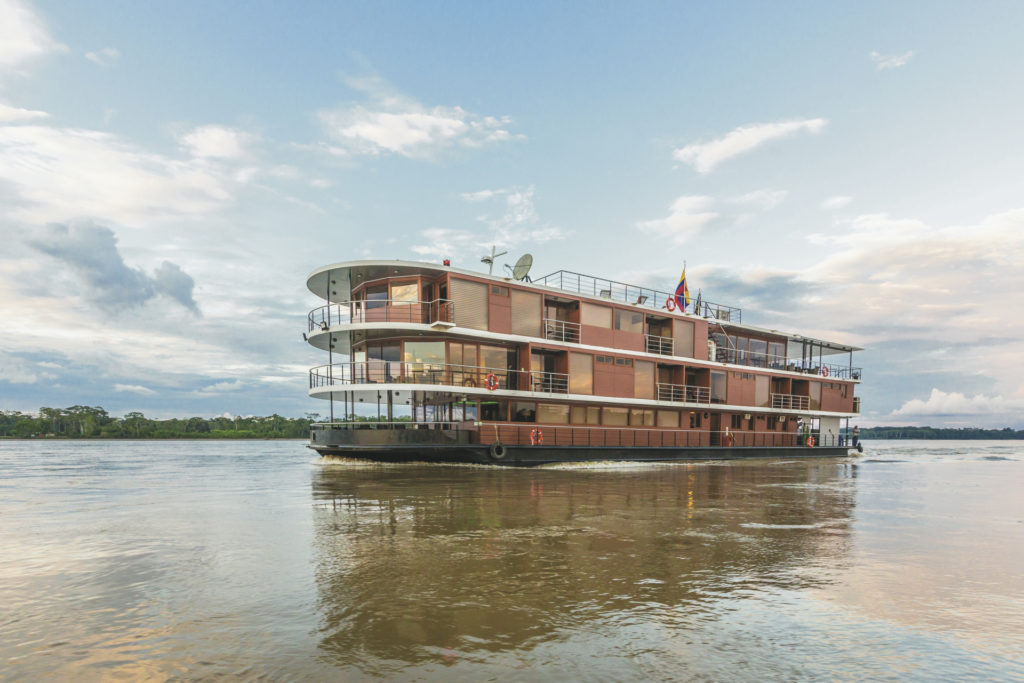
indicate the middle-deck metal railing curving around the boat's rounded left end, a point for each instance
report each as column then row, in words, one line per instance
column 397, row 372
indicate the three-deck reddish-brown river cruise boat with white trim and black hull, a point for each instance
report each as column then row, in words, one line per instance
column 429, row 363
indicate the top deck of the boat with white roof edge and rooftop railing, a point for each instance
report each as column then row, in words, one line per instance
column 563, row 308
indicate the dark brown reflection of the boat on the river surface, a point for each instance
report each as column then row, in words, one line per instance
column 420, row 565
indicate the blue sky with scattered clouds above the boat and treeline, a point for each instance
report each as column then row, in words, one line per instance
column 172, row 173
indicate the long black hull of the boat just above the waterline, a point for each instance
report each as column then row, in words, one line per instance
column 517, row 456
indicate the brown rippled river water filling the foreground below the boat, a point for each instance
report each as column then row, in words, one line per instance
column 196, row 560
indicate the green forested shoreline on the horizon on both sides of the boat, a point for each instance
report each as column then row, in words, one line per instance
column 95, row 422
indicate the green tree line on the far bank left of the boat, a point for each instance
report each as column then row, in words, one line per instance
column 95, row 422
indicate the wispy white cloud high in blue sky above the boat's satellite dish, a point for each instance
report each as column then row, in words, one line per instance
column 394, row 123
